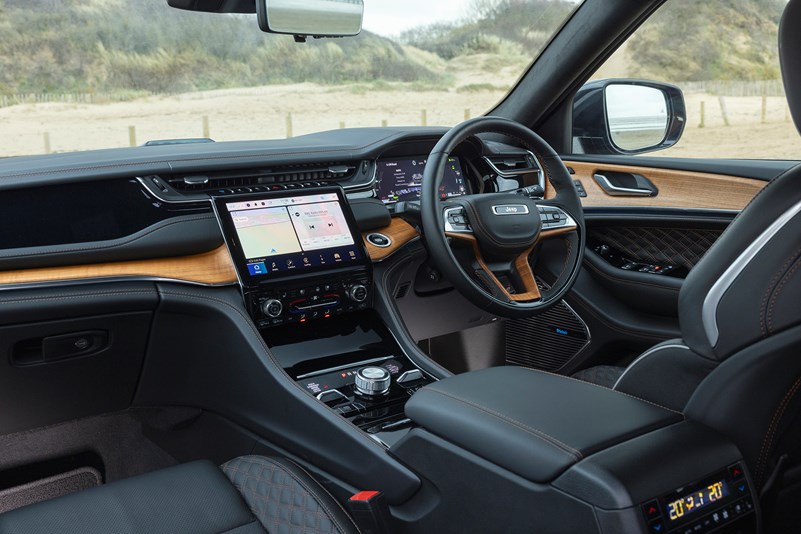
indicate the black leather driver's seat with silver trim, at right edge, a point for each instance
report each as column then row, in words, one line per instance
column 737, row 366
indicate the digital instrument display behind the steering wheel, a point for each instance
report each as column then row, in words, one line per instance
column 401, row 179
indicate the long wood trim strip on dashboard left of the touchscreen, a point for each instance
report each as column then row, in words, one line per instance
column 212, row 268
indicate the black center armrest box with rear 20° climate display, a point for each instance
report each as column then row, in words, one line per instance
column 577, row 458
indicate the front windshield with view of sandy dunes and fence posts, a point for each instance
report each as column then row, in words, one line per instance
column 79, row 75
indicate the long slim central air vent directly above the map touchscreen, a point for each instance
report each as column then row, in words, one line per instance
column 287, row 174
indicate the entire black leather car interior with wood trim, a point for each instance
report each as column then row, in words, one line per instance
column 280, row 336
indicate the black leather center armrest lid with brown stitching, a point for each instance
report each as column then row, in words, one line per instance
column 532, row 423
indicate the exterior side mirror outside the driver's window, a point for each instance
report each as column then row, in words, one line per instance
column 622, row 116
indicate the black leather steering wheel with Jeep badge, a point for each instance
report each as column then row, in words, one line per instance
column 434, row 234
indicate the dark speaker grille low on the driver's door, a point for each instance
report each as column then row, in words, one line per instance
column 547, row 341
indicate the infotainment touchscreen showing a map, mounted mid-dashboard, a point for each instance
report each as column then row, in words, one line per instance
column 288, row 232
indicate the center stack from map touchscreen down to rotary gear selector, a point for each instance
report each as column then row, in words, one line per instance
column 307, row 283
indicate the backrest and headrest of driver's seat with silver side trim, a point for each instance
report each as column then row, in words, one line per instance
column 748, row 286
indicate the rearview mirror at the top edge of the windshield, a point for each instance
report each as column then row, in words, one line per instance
column 316, row 18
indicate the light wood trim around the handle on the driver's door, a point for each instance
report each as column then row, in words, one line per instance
column 677, row 189
